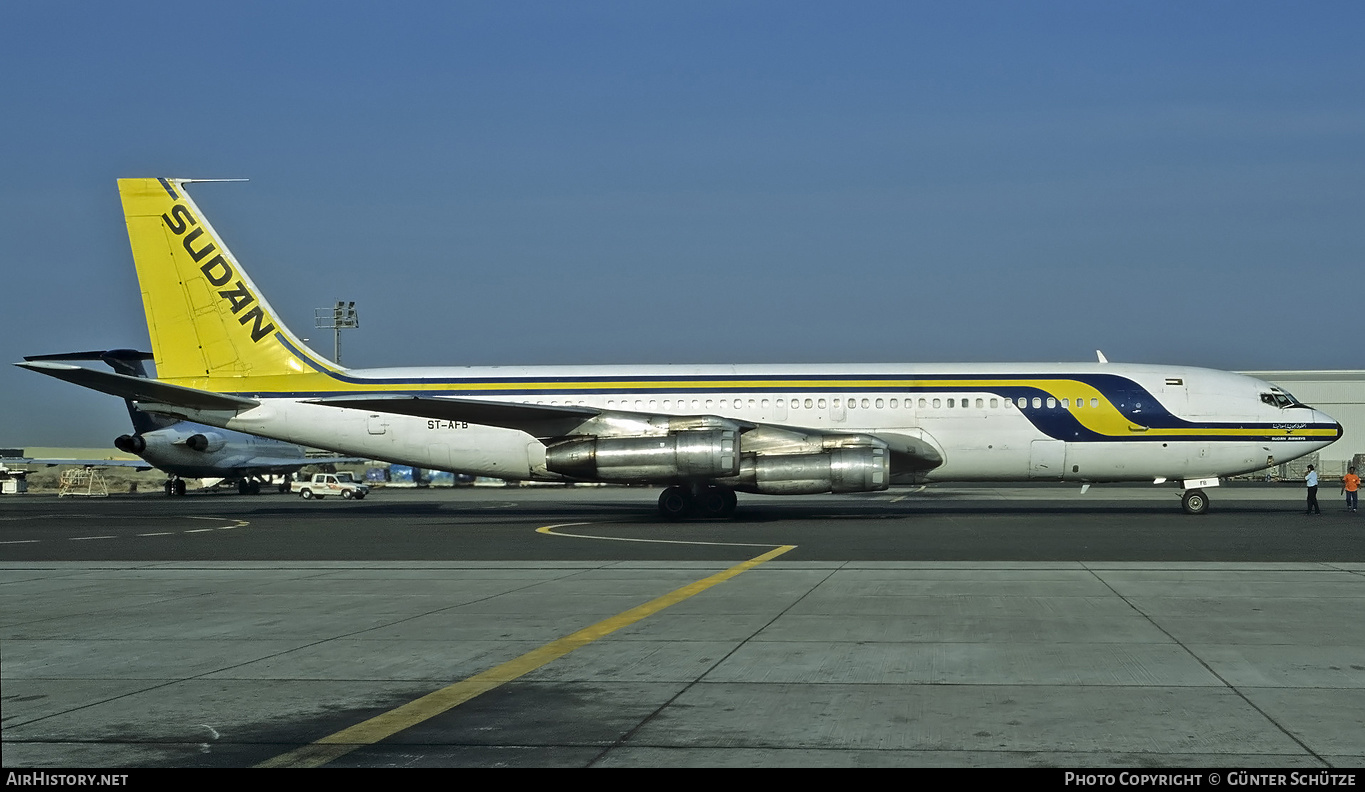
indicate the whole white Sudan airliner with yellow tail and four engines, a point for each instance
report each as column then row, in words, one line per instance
column 225, row 358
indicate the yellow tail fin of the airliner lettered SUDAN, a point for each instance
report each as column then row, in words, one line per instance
column 210, row 326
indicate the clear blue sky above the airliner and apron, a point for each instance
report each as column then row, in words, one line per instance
column 700, row 182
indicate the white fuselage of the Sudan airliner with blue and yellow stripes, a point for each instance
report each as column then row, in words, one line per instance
column 989, row 423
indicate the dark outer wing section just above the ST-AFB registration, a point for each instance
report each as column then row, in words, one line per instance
column 536, row 420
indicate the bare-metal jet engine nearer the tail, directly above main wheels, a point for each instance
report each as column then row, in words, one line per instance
column 664, row 459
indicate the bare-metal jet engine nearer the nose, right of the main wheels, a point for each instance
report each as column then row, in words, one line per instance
column 839, row 470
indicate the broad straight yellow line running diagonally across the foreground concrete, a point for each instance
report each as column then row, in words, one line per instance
column 413, row 713
